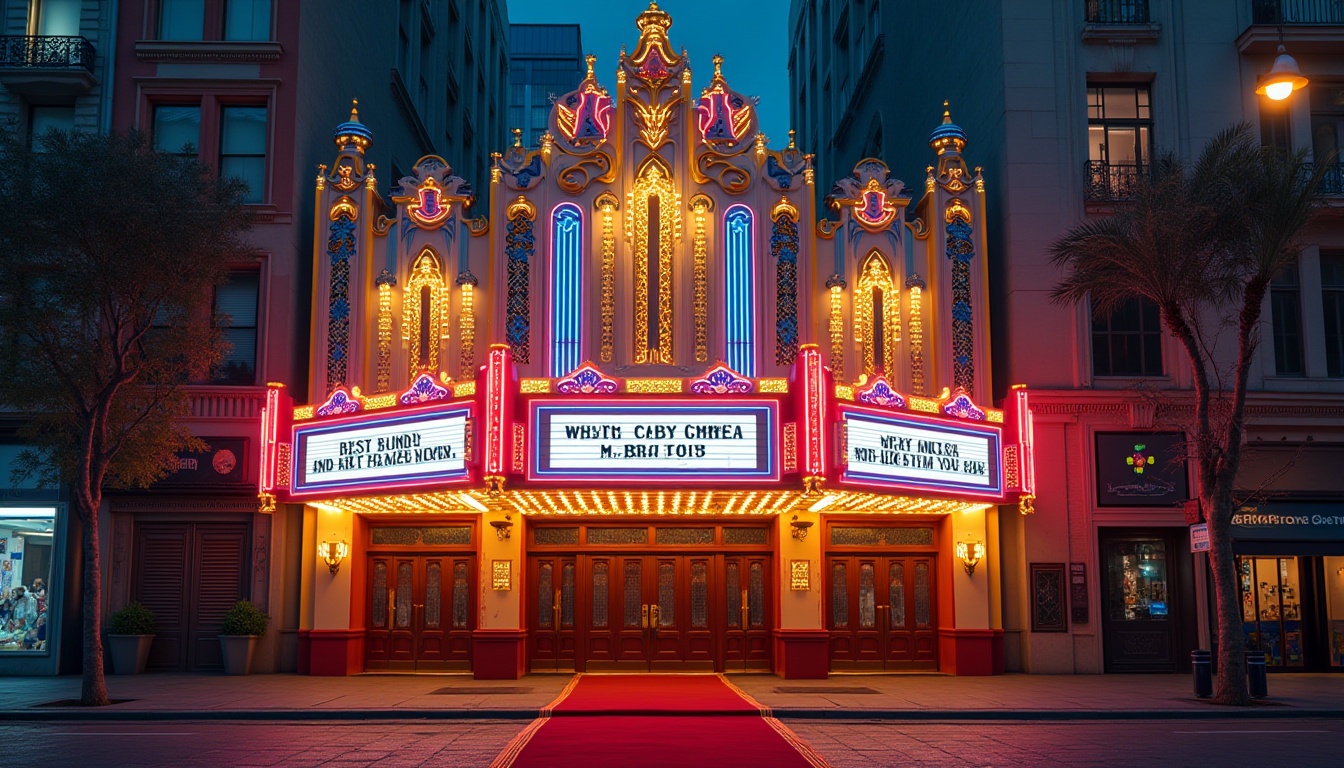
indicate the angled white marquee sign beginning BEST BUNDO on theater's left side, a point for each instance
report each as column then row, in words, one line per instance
column 381, row 453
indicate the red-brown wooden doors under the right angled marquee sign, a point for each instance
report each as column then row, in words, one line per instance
column 881, row 613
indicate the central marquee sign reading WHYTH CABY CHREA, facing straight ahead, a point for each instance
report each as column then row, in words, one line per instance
column 659, row 442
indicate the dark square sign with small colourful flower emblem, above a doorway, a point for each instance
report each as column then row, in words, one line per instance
column 1142, row 470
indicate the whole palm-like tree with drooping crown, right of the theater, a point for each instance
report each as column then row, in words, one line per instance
column 1204, row 243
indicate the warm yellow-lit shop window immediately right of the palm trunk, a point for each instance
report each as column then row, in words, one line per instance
column 1272, row 610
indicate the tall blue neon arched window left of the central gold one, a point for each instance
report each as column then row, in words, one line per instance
column 566, row 289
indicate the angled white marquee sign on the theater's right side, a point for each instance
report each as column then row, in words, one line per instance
column 913, row 453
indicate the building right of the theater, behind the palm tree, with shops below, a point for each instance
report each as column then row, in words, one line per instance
column 1069, row 106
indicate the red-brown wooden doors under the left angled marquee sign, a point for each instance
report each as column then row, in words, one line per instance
column 421, row 611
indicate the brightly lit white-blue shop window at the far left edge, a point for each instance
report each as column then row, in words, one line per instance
column 26, row 536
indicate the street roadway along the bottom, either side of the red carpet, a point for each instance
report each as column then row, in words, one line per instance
column 845, row 744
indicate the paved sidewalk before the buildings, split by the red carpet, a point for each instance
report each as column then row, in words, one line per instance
column 849, row 697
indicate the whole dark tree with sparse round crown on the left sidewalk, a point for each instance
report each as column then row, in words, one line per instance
column 110, row 255
